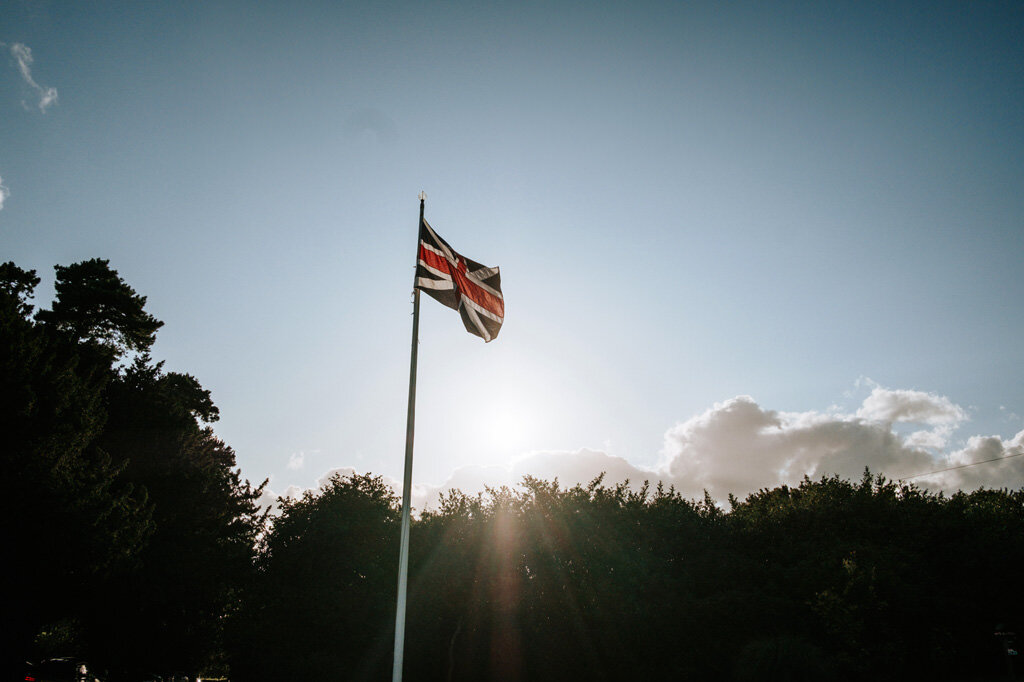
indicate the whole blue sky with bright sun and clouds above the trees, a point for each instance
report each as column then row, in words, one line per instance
column 740, row 243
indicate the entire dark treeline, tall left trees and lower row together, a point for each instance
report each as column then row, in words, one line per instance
column 135, row 542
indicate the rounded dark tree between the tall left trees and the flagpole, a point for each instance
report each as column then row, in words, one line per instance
column 323, row 603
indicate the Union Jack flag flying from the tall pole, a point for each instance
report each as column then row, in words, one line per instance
column 461, row 284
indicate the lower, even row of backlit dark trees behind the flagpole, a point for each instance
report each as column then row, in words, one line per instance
column 830, row 580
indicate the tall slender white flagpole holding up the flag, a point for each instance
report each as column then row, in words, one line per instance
column 407, row 488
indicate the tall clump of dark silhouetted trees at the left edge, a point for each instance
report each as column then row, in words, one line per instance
column 129, row 530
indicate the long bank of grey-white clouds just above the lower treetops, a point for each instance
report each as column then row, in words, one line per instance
column 738, row 447
